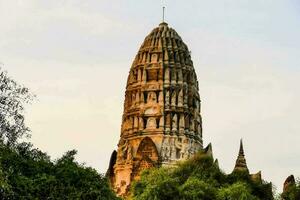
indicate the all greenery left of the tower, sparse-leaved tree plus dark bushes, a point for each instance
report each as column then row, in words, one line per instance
column 28, row 173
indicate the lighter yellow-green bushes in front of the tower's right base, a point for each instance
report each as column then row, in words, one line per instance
column 198, row 178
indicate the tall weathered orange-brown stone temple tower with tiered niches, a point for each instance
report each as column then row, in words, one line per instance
column 161, row 122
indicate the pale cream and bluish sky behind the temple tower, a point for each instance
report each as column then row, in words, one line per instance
column 75, row 56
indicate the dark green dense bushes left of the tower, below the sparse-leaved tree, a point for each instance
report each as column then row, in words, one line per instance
column 28, row 173
